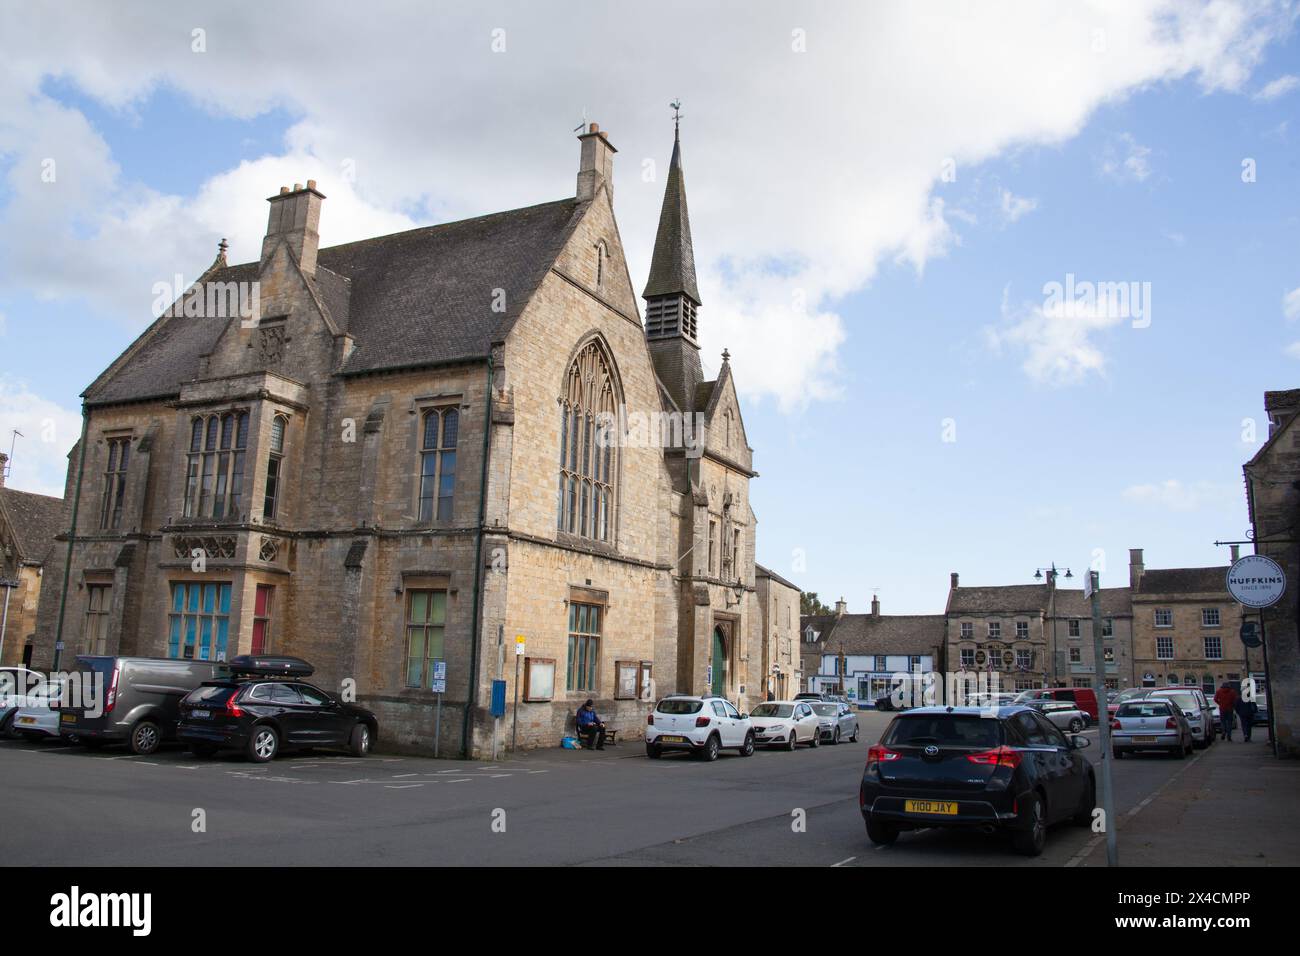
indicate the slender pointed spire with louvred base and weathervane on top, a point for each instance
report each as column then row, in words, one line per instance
column 671, row 293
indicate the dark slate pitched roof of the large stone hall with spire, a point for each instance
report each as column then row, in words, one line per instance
column 417, row 299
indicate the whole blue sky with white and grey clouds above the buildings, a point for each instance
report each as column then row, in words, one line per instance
column 887, row 200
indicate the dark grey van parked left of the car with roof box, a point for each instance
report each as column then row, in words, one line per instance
column 141, row 699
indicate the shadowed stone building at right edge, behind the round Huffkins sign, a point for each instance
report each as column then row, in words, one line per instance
column 1273, row 498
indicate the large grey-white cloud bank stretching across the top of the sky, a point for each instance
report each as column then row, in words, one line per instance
column 779, row 172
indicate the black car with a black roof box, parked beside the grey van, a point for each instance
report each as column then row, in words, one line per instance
column 266, row 707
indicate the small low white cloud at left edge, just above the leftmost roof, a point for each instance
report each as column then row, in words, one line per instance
column 49, row 432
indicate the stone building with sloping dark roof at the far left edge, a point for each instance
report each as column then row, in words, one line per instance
column 28, row 527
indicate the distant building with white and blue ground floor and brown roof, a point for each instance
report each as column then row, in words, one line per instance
column 860, row 655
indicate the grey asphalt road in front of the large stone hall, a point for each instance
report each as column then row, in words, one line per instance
column 71, row 807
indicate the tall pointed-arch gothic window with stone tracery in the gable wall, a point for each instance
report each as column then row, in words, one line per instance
column 590, row 460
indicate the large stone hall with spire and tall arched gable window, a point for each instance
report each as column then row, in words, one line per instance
column 431, row 448
